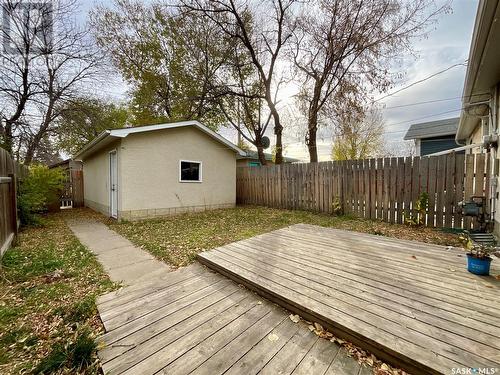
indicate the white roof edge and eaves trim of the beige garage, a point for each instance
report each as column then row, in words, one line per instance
column 122, row 133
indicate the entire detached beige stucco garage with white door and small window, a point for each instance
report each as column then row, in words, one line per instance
column 157, row 170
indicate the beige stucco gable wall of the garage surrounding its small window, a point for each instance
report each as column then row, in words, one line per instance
column 149, row 182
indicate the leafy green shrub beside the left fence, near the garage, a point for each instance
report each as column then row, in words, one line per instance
column 37, row 191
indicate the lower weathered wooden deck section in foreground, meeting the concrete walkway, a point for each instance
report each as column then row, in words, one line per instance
column 195, row 321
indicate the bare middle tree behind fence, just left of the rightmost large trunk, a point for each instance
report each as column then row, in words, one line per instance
column 263, row 42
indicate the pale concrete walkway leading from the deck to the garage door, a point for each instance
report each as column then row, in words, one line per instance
column 123, row 261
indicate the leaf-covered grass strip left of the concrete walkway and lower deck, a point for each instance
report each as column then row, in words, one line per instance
column 48, row 317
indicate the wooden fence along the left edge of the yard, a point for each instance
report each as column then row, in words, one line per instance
column 10, row 171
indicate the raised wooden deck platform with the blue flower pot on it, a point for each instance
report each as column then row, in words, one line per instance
column 410, row 303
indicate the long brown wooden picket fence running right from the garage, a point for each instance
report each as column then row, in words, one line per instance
column 384, row 189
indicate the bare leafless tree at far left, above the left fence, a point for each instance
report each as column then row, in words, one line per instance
column 48, row 60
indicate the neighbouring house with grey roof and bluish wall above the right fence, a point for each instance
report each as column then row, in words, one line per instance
column 433, row 136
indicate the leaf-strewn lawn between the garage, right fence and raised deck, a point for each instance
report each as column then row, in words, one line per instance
column 177, row 239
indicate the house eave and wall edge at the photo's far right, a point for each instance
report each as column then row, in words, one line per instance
column 480, row 117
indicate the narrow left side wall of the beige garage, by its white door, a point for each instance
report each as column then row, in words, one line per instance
column 96, row 179
